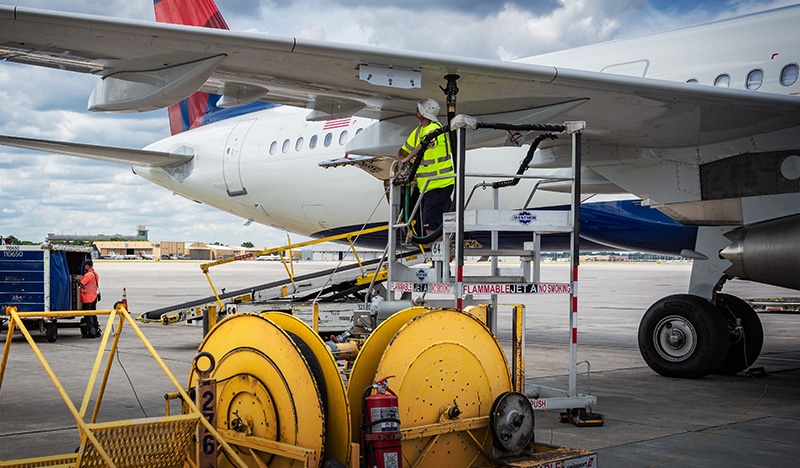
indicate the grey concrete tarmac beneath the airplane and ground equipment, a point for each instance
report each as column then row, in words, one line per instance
column 650, row 420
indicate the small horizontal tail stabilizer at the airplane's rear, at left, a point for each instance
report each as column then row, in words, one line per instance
column 133, row 157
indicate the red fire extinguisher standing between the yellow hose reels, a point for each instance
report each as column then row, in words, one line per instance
column 380, row 427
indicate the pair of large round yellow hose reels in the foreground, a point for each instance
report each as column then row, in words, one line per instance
column 282, row 401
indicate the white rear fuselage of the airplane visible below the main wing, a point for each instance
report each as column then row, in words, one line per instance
column 271, row 173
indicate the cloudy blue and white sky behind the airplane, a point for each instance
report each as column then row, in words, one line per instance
column 44, row 193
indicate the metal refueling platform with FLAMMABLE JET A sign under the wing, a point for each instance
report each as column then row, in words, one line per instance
column 408, row 281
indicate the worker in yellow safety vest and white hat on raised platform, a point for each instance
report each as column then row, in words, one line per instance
column 437, row 161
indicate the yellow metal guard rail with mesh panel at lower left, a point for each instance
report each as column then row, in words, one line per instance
column 147, row 443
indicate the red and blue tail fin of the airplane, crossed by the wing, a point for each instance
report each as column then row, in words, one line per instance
column 190, row 112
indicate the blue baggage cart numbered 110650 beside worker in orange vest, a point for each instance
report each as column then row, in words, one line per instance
column 42, row 278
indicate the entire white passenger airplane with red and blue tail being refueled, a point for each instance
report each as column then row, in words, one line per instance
column 698, row 125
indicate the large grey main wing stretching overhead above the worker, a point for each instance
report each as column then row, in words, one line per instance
column 148, row 65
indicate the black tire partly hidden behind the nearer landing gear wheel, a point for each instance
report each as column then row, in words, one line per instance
column 745, row 342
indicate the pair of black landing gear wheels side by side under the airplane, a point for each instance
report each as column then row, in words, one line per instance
column 686, row 336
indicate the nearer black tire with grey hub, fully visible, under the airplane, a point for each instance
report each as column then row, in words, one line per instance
column 683, row 336
